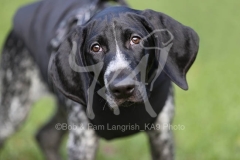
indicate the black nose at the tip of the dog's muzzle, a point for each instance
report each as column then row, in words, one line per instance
column 123, row 89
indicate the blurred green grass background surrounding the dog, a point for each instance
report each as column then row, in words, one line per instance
column 209, row 110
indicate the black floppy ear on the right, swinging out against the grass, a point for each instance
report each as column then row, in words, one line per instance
column 184, row 49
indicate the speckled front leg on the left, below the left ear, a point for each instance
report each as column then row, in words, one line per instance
column 83, row 141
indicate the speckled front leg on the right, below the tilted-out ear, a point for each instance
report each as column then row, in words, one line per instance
column 161, row 138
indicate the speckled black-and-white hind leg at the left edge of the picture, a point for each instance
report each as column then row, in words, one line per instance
column 20, row 86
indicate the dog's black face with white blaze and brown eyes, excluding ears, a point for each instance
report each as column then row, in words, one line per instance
column 115, row 39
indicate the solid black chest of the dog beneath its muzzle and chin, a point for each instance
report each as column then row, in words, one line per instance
column 131, row 120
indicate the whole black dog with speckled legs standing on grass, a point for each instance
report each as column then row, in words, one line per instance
column 110, row 68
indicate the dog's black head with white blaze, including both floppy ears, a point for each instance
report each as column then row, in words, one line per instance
column 128, row 43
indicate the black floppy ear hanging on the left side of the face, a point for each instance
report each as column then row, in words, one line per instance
column 71, row 83
